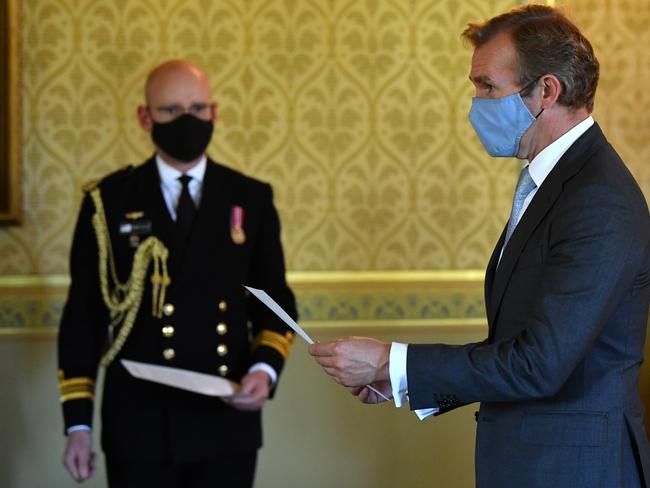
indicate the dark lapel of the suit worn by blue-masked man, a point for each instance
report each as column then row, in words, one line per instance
column 568, row 165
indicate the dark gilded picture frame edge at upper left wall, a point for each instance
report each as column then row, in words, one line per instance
column 10, row 114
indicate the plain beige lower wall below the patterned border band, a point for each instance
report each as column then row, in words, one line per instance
column 316, row 434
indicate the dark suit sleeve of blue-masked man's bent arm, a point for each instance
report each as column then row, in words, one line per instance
column 593, row 255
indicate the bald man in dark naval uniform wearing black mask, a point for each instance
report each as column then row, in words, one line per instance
column 159, row 256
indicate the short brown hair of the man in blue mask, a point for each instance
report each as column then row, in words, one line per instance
column 546, row 42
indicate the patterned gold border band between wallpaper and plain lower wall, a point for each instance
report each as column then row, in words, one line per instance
column 334, row 300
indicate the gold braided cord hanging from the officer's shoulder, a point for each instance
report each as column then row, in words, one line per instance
column 123, row 301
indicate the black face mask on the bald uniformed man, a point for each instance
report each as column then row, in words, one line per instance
column 184, row 138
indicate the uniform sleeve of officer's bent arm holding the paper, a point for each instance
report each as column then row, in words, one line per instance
column 272, row 339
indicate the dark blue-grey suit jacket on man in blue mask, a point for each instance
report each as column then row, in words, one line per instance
column 567, row 310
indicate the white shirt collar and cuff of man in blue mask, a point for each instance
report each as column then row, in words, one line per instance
column 539, row 168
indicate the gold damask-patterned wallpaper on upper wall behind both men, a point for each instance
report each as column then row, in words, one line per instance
column 355, row 111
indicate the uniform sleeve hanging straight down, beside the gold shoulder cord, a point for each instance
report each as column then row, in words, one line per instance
column 83, row 325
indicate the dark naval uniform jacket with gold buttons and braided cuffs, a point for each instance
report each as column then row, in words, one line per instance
column 210, row 324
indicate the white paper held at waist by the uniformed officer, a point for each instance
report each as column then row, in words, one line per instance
column 181, row 378
